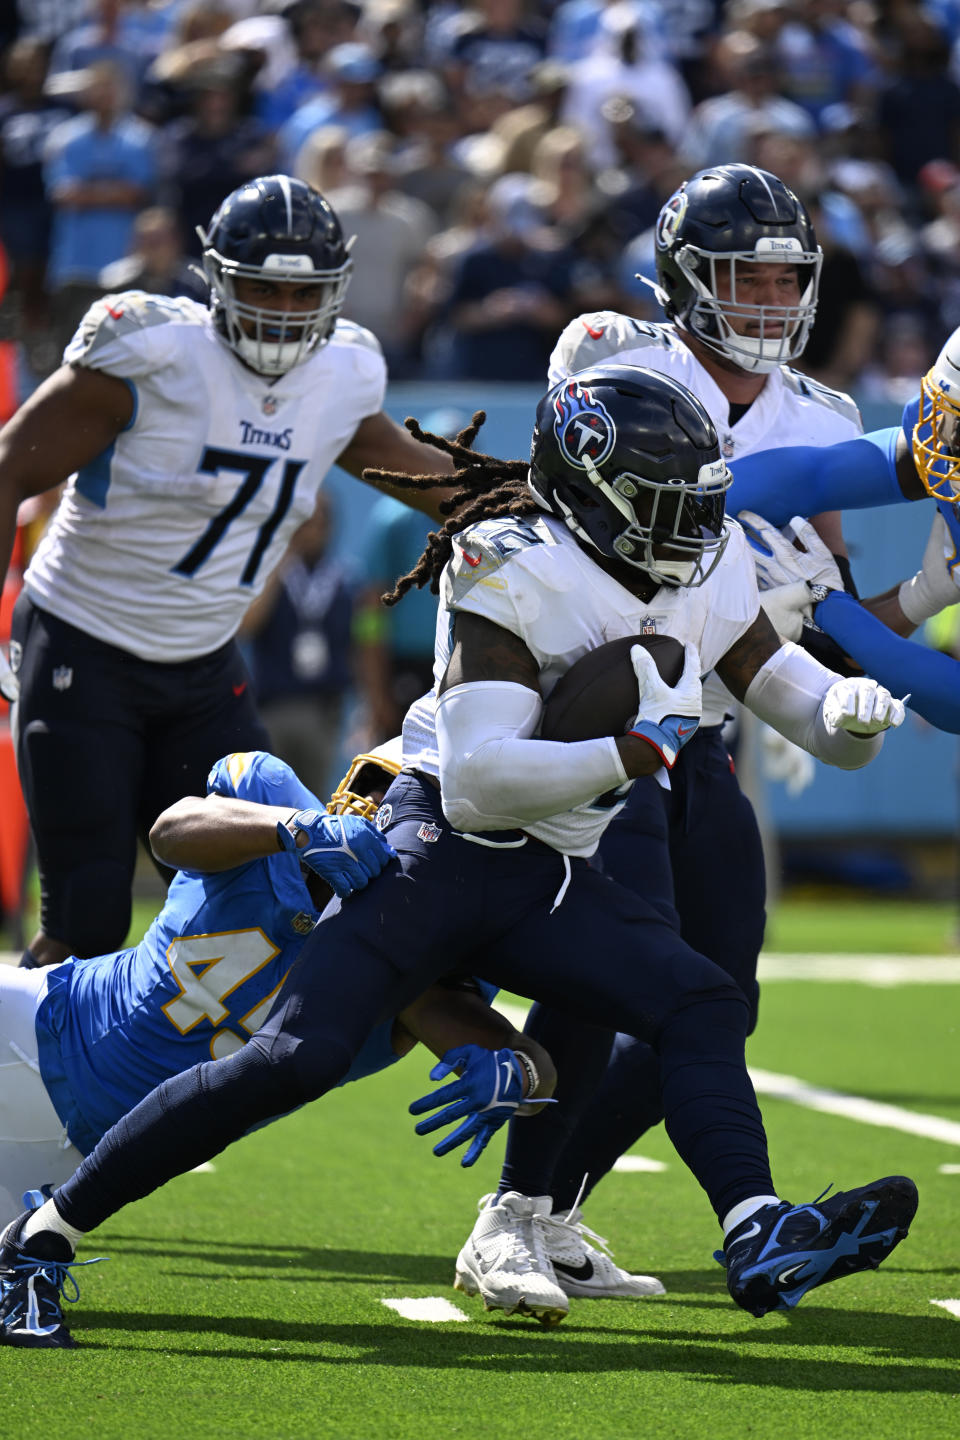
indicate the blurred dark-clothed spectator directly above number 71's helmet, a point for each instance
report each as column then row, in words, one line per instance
column 214, row 149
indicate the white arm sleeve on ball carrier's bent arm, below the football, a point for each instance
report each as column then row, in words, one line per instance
column 496, row 777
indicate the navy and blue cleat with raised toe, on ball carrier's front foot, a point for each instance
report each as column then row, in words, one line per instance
column 779, row 1254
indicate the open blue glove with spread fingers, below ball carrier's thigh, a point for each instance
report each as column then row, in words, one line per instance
column 487, row 1092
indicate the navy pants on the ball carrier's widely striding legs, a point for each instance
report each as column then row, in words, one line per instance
column 602, row 954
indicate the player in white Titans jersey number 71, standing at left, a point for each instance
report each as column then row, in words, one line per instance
column 195, row 440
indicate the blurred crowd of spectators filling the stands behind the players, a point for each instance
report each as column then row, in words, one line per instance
column 502, row 163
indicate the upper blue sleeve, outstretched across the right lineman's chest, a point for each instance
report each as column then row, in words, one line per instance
column 805, row 480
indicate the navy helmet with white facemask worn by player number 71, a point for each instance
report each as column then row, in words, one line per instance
column 283, row 231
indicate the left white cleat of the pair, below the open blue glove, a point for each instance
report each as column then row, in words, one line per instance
column 506, row 1264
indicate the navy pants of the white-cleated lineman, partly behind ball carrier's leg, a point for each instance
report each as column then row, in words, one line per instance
column 694, row 853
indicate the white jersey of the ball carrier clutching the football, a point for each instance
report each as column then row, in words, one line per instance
column 530, row 577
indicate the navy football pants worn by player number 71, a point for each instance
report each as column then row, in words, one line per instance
column 106, row 742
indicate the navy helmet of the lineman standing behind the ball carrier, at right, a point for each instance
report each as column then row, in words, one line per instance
column 722, row 217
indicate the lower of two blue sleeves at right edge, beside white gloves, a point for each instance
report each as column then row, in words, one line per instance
column 905, row 666
